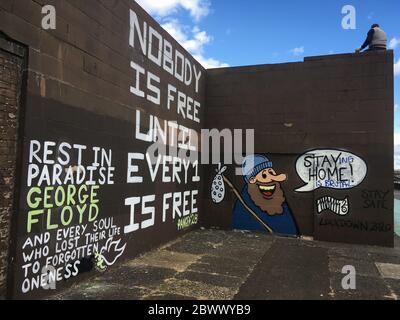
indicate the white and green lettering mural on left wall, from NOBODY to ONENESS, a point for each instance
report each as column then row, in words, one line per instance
column 96, row 188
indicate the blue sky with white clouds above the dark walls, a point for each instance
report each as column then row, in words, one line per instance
column 245, row 32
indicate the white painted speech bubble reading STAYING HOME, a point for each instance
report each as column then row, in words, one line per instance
column 330, row 168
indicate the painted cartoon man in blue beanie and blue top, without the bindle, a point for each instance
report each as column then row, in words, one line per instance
column 264, row 195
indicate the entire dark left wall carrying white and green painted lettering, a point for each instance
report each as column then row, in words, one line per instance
column 82, row 116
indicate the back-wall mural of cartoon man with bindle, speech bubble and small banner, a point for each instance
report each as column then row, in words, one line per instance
column 262, row 205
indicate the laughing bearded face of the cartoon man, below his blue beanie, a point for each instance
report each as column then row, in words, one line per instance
column 266, row 192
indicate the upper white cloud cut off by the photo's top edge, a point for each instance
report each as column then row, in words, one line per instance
column 162, row 8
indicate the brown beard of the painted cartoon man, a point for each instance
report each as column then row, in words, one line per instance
column 273, row 205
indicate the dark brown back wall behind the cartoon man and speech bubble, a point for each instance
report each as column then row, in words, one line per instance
column 340, row 102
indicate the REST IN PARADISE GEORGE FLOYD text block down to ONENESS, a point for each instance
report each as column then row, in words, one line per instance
column 63, row 224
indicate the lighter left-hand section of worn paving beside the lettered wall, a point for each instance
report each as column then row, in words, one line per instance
column 201, row 265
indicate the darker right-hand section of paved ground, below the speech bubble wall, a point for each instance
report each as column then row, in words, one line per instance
column 297, row 269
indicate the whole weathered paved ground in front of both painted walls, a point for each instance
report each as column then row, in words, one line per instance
column 235, row 265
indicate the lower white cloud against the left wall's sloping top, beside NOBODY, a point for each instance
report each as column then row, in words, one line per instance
column 193, row 40
